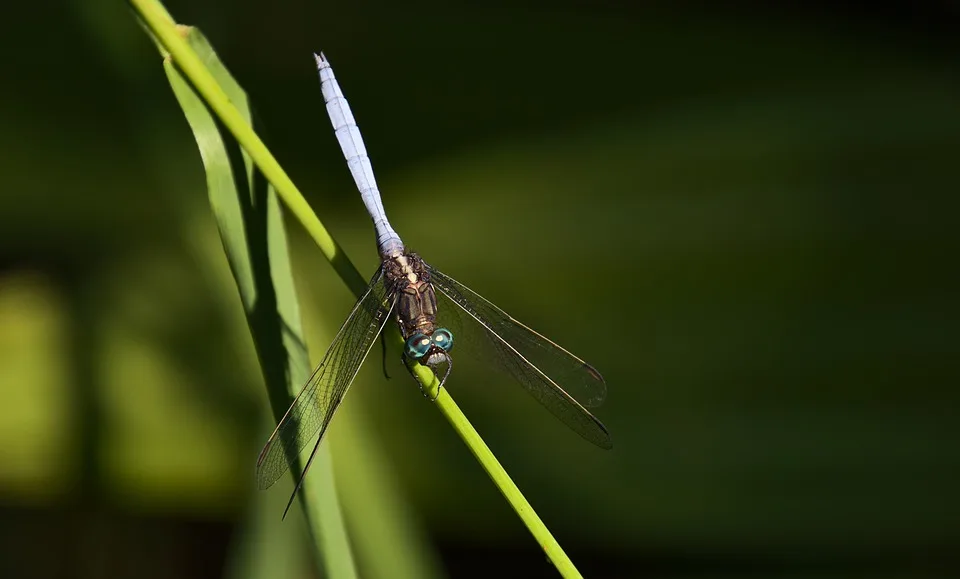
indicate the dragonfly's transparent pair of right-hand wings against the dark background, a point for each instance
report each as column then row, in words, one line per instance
column 540, row 365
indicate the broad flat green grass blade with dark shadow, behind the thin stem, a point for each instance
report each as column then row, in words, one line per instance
column 251, row 227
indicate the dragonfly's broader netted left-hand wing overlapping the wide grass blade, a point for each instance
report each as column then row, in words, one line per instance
column 317, row 402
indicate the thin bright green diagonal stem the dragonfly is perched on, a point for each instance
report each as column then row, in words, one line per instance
column 166, row 30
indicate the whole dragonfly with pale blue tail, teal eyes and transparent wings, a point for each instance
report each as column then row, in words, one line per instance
column 416, row 295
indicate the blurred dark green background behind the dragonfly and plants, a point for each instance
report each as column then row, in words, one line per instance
column 742, row 215
